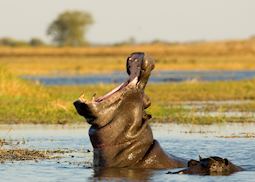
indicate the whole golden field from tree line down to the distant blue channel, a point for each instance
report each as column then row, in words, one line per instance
column 225, row 55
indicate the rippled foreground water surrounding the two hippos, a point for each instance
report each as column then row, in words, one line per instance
column 187, row 141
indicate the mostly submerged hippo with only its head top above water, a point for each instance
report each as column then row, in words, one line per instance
column 213, row 165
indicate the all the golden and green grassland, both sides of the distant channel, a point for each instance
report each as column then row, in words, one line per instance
column 26, row 102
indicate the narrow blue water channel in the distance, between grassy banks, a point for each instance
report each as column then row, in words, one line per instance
column 157, row 77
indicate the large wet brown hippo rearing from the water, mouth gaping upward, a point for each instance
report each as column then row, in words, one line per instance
column 119, row 132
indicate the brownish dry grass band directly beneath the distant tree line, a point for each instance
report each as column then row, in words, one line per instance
column 203, row 48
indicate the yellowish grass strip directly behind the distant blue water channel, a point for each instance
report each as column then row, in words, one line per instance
column 57, row 65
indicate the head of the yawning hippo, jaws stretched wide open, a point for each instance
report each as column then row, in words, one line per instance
column 97, row 111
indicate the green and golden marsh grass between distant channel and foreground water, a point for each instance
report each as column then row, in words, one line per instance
column 25, row 102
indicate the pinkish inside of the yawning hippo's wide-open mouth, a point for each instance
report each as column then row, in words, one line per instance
column 134, row 69
